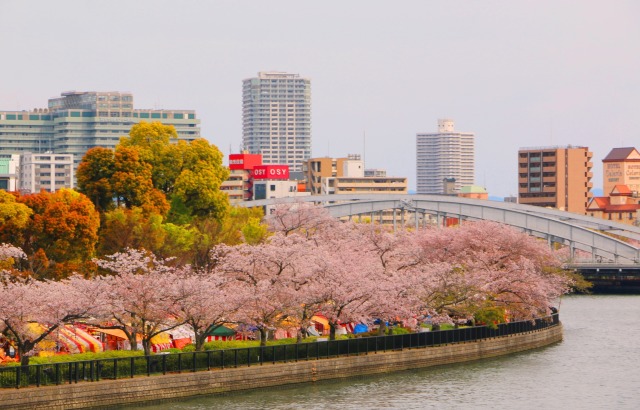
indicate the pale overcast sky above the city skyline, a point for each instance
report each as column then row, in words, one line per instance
column 517, row 73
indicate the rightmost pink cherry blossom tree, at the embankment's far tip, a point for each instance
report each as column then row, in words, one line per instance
column 483, row 265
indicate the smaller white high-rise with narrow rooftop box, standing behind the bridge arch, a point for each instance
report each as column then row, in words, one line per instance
column 446, row 155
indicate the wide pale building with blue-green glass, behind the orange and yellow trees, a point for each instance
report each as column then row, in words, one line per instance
column 78, row 121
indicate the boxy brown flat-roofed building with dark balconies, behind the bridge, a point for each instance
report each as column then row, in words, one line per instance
column 555, row 177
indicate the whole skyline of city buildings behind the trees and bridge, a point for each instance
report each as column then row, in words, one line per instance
column 40, row 149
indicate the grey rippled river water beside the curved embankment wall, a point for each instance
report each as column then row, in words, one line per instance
column 596, row 366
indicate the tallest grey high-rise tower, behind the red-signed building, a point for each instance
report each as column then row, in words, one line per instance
column 276, row 118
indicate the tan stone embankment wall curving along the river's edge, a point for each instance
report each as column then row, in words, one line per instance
column 109, row 393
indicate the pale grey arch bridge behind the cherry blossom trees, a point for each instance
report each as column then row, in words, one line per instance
column 603, row 240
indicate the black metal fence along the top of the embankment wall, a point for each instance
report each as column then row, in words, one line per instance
column 120, row 368
